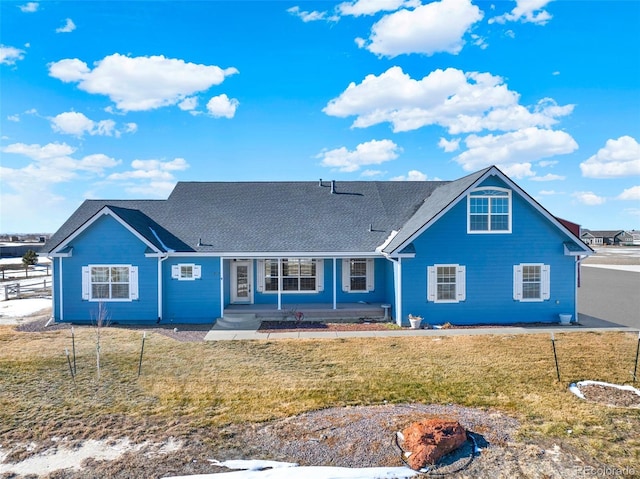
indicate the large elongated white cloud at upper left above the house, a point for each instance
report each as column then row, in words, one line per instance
column 140, row 83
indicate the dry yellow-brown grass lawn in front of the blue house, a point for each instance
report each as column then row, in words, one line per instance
column 186, row 387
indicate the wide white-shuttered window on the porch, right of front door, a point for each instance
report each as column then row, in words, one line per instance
column 290, row 275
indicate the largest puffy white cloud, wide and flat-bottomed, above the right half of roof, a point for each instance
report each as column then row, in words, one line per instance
column 451, row 98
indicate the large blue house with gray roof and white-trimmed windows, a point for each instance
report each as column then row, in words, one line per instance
column 475, row 250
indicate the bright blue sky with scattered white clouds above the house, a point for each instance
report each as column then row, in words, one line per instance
column 120, row 99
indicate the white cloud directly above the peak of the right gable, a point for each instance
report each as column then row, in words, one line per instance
column 513, row 152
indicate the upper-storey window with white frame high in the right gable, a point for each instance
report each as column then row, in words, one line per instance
column 489, row 210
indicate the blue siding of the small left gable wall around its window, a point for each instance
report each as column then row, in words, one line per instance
column 106, row 241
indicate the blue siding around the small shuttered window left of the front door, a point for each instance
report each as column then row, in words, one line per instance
column 195, row 301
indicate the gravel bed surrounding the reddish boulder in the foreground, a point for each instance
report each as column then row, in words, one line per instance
column 364, row 436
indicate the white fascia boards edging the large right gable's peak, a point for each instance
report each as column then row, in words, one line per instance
column 494, row 171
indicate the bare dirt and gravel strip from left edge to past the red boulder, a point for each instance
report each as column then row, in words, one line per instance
column 362, row 436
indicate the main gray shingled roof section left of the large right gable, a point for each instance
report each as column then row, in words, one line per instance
column 268, row 217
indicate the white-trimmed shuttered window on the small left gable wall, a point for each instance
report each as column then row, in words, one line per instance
column 109, row 282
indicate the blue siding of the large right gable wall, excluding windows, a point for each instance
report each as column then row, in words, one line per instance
column 489, row 261
